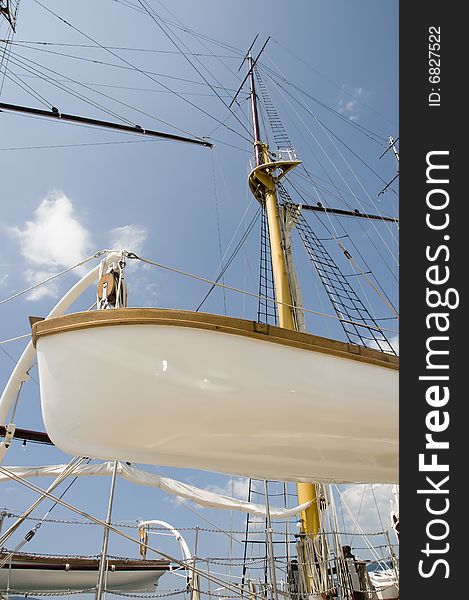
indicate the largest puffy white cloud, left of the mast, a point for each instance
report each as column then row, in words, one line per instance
column 55, row 237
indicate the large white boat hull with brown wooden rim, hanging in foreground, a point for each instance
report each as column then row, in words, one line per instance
column 161, row 390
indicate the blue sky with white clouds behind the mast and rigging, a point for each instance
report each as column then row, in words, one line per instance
column 174, row 203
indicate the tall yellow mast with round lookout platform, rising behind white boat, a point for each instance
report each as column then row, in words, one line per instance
column 263, row 183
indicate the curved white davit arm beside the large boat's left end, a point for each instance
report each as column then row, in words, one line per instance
column 20, row 372
